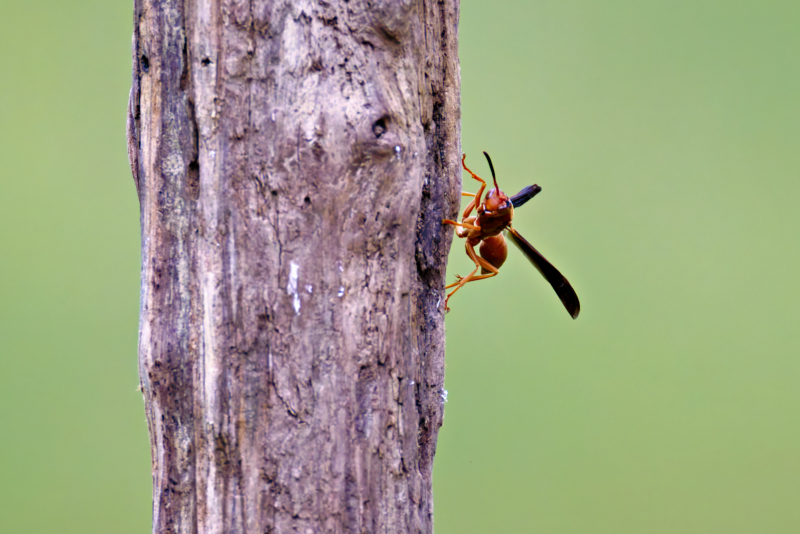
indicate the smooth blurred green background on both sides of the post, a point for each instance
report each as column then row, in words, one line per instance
column 666, row 137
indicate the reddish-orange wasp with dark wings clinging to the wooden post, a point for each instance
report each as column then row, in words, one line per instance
column 487, row 229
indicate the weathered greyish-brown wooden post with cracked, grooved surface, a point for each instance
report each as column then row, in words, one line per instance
column 293, row 162
